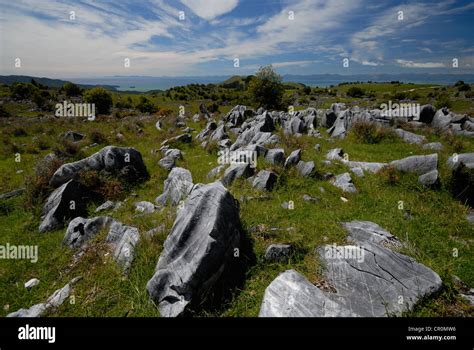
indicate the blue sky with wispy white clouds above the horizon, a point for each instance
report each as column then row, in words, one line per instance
column 297, row 37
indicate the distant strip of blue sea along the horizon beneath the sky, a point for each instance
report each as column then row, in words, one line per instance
column 145, row 83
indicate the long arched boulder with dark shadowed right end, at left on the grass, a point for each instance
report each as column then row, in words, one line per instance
column 116, row 160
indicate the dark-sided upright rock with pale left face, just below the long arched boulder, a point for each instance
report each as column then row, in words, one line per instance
column 66, row 202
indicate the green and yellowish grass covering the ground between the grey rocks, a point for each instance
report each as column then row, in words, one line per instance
column 435, row 227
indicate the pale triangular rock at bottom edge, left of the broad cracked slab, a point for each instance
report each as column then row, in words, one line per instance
column 292, row 295
